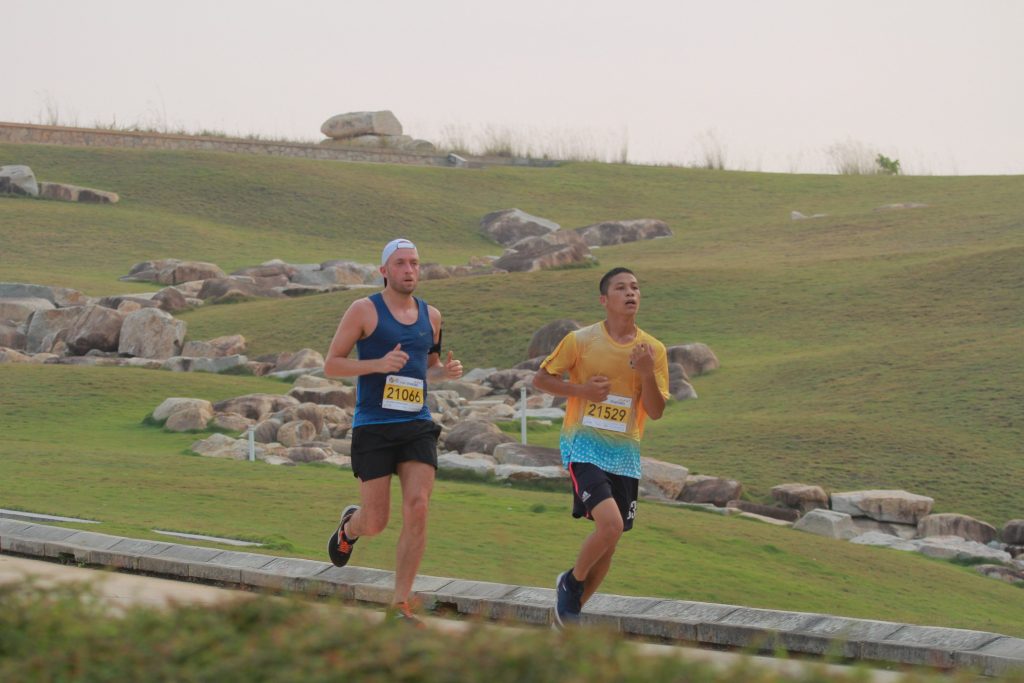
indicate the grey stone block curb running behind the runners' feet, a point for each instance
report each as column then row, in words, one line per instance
column 734, row 626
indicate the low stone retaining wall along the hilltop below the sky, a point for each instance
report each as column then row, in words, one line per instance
column 23, row 134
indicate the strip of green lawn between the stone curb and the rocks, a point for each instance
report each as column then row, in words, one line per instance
column 104, row 463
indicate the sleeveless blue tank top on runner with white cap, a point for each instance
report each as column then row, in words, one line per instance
column 416, row 340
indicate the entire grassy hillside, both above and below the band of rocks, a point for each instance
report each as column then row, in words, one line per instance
column 868, row 349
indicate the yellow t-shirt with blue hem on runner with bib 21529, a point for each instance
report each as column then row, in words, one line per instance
column 606, row 435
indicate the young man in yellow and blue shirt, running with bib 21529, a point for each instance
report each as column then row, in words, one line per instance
column 618, row 377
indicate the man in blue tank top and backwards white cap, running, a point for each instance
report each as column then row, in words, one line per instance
column 398, row 338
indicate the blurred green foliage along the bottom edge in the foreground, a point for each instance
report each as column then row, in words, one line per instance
column 67, row 634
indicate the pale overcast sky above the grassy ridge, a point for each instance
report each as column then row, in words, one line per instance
column 771, row 86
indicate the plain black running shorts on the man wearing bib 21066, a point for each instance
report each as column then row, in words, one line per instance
column 378, row 449
